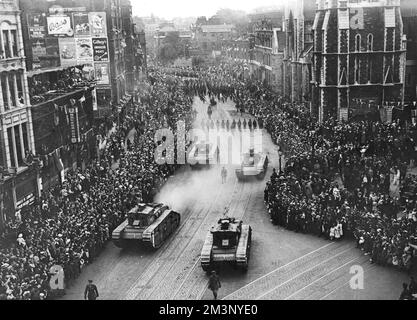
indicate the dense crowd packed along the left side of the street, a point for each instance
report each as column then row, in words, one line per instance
column 71, row 223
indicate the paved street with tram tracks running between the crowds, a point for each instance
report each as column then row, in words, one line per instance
column 283, row 265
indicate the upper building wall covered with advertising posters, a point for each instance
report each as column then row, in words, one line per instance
column 61, row 34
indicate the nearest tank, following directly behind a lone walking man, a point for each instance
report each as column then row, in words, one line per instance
column 227, row 242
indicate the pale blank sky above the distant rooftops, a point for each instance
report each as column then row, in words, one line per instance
column 194, row 8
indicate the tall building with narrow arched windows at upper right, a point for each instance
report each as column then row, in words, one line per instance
column 359, row 57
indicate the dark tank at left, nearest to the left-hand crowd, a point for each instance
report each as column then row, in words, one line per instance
column 150, row 224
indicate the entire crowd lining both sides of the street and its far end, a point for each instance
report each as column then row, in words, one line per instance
column 340, row 179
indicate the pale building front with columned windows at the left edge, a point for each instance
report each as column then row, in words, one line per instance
column 18, row 182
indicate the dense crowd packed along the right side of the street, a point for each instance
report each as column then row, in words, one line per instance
column 340, row 179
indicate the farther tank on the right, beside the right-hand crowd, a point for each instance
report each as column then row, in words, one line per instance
column 253, row 165
